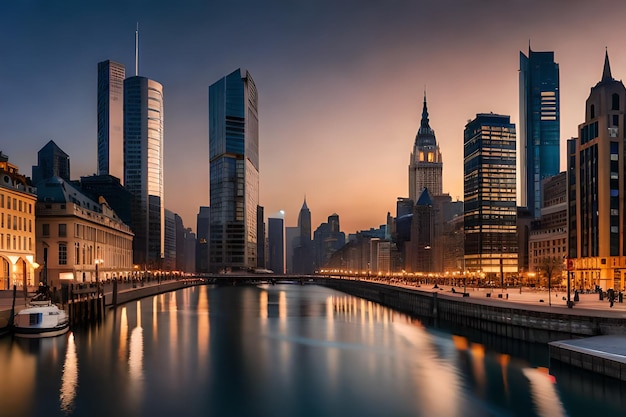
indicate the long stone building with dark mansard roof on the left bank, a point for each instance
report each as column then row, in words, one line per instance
column 74, row 233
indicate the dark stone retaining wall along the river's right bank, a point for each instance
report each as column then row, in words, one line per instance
column 523, row 322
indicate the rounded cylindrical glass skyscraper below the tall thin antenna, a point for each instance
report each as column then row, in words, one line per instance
column 143, row 167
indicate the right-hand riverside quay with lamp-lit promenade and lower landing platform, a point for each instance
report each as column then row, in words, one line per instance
column 591, row 335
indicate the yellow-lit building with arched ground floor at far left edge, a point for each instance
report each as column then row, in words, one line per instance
column 17, row 227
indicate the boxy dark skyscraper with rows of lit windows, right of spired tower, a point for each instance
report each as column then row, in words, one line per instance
column 490, row 195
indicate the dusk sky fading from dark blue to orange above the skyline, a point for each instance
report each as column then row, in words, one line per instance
column 340, row 82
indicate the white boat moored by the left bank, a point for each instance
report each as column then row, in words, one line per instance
column 41, row 319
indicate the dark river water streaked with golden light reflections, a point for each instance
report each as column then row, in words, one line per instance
column 279, row 350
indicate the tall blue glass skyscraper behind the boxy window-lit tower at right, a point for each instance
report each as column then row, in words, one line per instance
column 539, row 125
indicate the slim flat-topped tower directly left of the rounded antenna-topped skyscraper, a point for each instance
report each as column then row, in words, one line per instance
column 111, row 119
